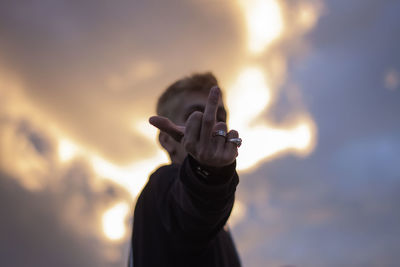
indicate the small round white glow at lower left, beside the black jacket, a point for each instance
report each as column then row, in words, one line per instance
column 114, row 221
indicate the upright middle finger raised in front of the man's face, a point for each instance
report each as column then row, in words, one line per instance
column 210, row 113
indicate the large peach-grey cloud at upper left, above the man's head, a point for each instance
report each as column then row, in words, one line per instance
column 68, row 57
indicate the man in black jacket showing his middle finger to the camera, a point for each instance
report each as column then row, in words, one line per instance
column 180, row 215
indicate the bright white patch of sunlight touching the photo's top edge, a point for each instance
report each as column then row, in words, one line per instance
column 264, row 23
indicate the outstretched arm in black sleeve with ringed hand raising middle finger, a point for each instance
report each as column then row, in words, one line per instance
column 198, row 203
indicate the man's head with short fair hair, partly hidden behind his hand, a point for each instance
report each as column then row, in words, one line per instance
column 179, row 100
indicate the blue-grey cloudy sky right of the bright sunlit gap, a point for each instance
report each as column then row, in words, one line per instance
column 337, row 207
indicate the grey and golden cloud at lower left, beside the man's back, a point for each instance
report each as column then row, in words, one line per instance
column 51, row 214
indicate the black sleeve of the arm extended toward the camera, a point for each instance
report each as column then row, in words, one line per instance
column 196, row 205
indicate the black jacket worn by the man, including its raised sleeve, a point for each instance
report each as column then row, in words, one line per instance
column 180, row 216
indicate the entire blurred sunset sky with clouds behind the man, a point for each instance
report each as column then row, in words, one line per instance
column 313, row 86
